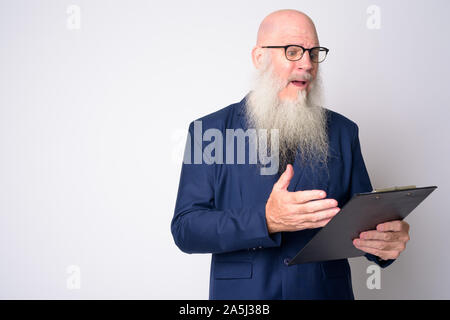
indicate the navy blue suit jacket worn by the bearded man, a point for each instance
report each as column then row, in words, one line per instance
column 220, row 209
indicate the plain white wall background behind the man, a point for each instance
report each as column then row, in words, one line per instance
column 93, row 123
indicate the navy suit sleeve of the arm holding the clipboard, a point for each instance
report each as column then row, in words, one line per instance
column 360, row 182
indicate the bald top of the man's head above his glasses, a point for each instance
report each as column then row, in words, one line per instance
column 286, row 25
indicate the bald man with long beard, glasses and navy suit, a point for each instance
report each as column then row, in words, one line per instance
column 253, row 219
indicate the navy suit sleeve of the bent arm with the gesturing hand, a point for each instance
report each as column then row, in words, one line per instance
column 199, row 227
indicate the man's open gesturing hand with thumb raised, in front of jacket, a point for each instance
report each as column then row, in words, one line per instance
column 293, row 211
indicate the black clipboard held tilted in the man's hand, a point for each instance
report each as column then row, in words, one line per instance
column 363, row 212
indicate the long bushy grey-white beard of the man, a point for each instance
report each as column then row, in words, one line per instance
column 302, row 123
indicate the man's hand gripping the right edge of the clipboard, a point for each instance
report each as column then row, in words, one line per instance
column 386, row 242
